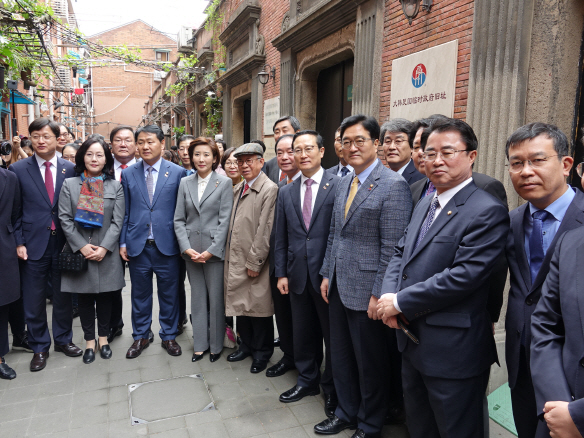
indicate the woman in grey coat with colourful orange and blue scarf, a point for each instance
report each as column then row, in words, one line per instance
column 91, row 211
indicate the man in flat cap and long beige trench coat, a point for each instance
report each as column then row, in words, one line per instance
column 247, row 283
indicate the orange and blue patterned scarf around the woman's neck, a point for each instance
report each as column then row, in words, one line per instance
column 90, row 205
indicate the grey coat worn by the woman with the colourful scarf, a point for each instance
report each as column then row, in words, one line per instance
column 107, row 275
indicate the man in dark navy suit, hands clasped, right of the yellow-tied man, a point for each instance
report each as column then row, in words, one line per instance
column 437, row 284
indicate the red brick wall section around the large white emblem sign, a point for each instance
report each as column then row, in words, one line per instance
column 448, row 20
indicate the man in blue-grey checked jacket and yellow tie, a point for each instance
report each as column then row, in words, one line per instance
column 372, row 209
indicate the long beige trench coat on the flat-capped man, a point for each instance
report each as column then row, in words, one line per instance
column 248, row 247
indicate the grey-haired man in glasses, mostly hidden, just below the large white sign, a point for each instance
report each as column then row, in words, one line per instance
column 398, row 150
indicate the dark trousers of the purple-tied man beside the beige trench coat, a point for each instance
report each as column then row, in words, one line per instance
column 311, row 327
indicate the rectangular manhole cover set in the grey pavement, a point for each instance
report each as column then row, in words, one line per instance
column 169, row 398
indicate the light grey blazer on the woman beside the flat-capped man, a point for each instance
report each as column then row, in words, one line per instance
column 203, row 224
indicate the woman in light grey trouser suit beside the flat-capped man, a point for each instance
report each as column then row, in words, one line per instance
column 201, row 222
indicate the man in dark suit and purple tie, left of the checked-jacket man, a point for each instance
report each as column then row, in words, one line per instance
column 303, row 217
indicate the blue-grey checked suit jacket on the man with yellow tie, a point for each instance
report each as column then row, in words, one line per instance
column 361, row 244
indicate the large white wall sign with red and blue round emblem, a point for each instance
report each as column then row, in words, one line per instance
column 424, row 83
